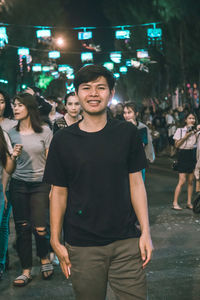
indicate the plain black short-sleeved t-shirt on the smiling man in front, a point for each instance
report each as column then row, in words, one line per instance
column 95, row 168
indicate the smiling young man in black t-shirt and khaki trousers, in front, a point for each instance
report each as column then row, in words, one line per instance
column 94, row 167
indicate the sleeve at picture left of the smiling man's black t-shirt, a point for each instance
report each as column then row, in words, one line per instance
column 55, row 172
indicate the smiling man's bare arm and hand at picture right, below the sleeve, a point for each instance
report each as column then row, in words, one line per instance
column 139, row 202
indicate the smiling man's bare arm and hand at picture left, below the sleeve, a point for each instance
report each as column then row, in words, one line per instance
column 58, row 205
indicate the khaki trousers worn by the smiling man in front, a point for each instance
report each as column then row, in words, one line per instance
column 118, row 264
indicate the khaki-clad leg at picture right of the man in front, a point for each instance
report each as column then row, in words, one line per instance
column 126, row 276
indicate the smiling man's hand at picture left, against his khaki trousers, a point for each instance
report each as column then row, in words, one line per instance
column 63, row 258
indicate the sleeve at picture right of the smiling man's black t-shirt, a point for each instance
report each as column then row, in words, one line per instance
column 137, row 158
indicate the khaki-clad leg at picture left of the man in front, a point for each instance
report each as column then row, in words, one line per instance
column 89, row 271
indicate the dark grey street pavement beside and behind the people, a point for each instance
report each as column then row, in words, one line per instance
column 173, row 273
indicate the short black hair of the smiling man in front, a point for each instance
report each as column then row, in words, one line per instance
column 92, row 72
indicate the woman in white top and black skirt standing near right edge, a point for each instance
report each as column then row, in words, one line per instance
column 185, row 141
